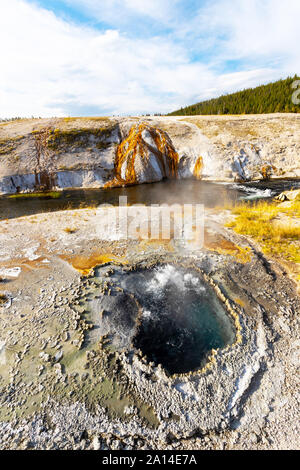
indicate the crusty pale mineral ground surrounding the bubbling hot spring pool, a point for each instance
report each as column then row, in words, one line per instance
column 64, row 387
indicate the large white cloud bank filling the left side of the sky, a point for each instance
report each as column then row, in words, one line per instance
column 50, row 66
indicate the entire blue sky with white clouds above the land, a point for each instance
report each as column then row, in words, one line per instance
column 99, row 57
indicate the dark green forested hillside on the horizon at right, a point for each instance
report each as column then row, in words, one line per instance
column 275, row 97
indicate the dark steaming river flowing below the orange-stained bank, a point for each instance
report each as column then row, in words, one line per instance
column 169, row 192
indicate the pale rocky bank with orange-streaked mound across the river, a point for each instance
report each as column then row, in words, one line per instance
column 105, row 152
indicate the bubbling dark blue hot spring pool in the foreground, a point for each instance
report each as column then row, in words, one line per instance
column 182, row 319
